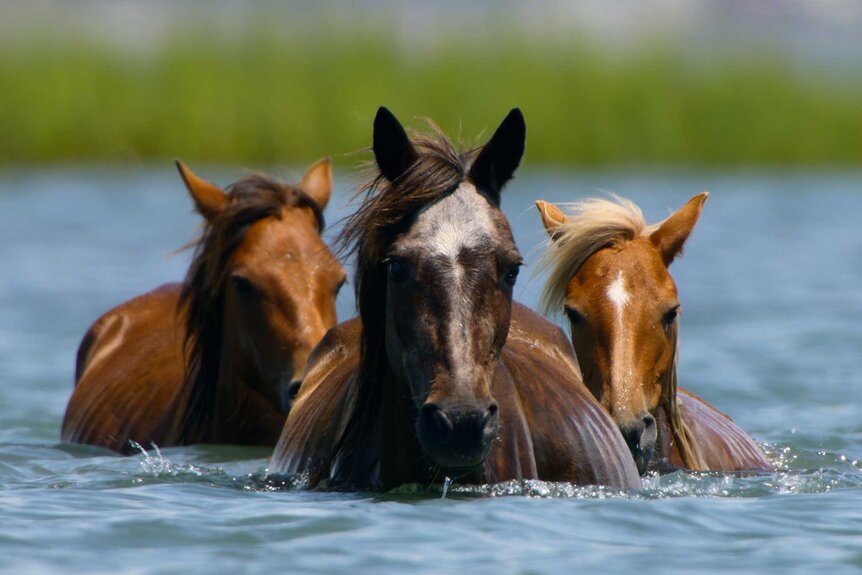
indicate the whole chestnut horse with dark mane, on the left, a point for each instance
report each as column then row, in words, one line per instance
column 216, row 359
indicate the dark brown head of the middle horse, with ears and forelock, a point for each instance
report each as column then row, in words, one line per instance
column 436, row 267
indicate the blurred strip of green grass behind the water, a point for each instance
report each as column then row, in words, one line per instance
column 265, row 99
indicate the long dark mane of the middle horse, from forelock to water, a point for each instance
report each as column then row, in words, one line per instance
column 387, row 209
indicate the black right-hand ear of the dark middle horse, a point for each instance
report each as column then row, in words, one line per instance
column 499, row 158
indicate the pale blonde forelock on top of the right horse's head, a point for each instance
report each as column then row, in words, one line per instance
column 590, row 225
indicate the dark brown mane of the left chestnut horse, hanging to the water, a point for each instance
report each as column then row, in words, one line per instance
column 249, row 200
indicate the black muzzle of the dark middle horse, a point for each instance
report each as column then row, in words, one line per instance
column 457, row 438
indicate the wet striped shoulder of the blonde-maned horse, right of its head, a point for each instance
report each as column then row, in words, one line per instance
column 725, row 446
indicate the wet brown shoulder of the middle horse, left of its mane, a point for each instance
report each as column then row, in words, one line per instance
column 321, row 409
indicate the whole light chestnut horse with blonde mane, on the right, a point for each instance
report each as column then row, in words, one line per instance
column 609, row 273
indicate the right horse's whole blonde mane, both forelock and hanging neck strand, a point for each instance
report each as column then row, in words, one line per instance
column 591, row 225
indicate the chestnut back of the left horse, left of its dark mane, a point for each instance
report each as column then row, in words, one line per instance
column 129, row 368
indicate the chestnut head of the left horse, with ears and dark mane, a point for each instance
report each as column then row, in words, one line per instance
column 260, row 292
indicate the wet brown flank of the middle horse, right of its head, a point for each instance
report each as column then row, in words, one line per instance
column 573, row 438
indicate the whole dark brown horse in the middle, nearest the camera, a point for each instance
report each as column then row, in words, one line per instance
column 441, row 374
